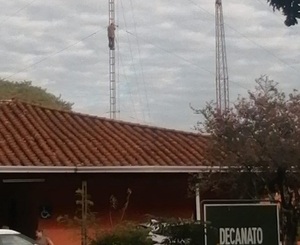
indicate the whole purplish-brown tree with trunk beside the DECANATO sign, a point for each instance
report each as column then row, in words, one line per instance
column 258, row 142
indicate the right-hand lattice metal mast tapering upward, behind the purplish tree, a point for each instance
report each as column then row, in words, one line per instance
column 222, row 87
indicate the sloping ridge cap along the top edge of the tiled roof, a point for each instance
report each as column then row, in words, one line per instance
column 71, row 112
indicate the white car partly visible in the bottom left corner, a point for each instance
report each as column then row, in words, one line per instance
column 11, row 237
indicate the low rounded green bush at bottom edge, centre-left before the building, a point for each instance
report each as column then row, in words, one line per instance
column 126, row 234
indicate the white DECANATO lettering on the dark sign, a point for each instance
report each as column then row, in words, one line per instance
column 241, row 236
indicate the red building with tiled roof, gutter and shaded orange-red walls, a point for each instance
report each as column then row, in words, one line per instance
column 45, row 155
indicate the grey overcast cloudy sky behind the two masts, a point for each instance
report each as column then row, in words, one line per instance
column 166, row 53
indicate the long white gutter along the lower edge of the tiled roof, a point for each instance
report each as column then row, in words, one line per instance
column 117, row 169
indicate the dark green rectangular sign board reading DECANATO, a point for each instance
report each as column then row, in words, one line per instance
column 242, row 224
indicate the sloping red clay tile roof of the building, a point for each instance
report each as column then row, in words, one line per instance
column 32, row 135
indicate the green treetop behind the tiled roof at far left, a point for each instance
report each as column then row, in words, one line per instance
column 26, row 92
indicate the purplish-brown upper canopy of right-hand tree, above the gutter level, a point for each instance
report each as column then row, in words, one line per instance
column 262, row 130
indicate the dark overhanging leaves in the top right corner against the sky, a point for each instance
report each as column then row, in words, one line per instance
column 290, row 8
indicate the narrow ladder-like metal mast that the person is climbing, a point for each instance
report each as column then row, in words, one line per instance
column 112, row 66
